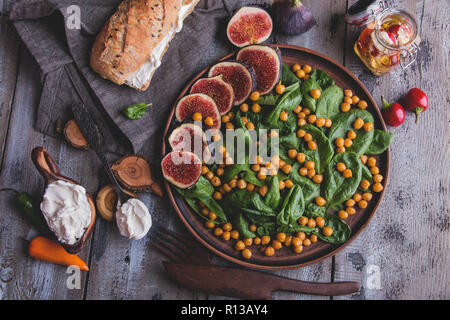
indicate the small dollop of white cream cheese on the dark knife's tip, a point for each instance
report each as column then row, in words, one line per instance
column 133, row 219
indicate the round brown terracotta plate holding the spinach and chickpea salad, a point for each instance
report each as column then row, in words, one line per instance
column 285, row 258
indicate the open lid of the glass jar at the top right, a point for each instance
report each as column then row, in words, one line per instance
column 364, row 11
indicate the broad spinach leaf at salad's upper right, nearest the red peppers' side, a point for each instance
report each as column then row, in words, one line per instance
column 343, row 123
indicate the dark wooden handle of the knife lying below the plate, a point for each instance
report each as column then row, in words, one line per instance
column 317, row 288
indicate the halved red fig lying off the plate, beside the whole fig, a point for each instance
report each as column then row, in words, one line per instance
column 249, row 25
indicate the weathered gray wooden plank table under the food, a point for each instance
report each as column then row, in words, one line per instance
column 403, row 253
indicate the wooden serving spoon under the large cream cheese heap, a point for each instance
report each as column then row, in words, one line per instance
column 50, row 171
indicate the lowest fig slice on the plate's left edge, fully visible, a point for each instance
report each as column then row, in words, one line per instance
column 181, row 168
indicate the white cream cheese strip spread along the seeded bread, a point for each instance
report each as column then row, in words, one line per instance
column 142, row 75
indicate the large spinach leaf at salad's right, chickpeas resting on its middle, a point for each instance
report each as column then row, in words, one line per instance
column 335, row 188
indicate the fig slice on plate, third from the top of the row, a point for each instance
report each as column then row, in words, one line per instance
column 221, row 92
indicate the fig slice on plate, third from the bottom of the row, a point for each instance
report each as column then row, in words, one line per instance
column 201, row 103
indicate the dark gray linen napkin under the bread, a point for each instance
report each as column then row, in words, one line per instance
column 63, row 56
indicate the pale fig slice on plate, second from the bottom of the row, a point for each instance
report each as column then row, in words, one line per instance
column 190, row 137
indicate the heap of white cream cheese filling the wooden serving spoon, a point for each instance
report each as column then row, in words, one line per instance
column 67, row 210
